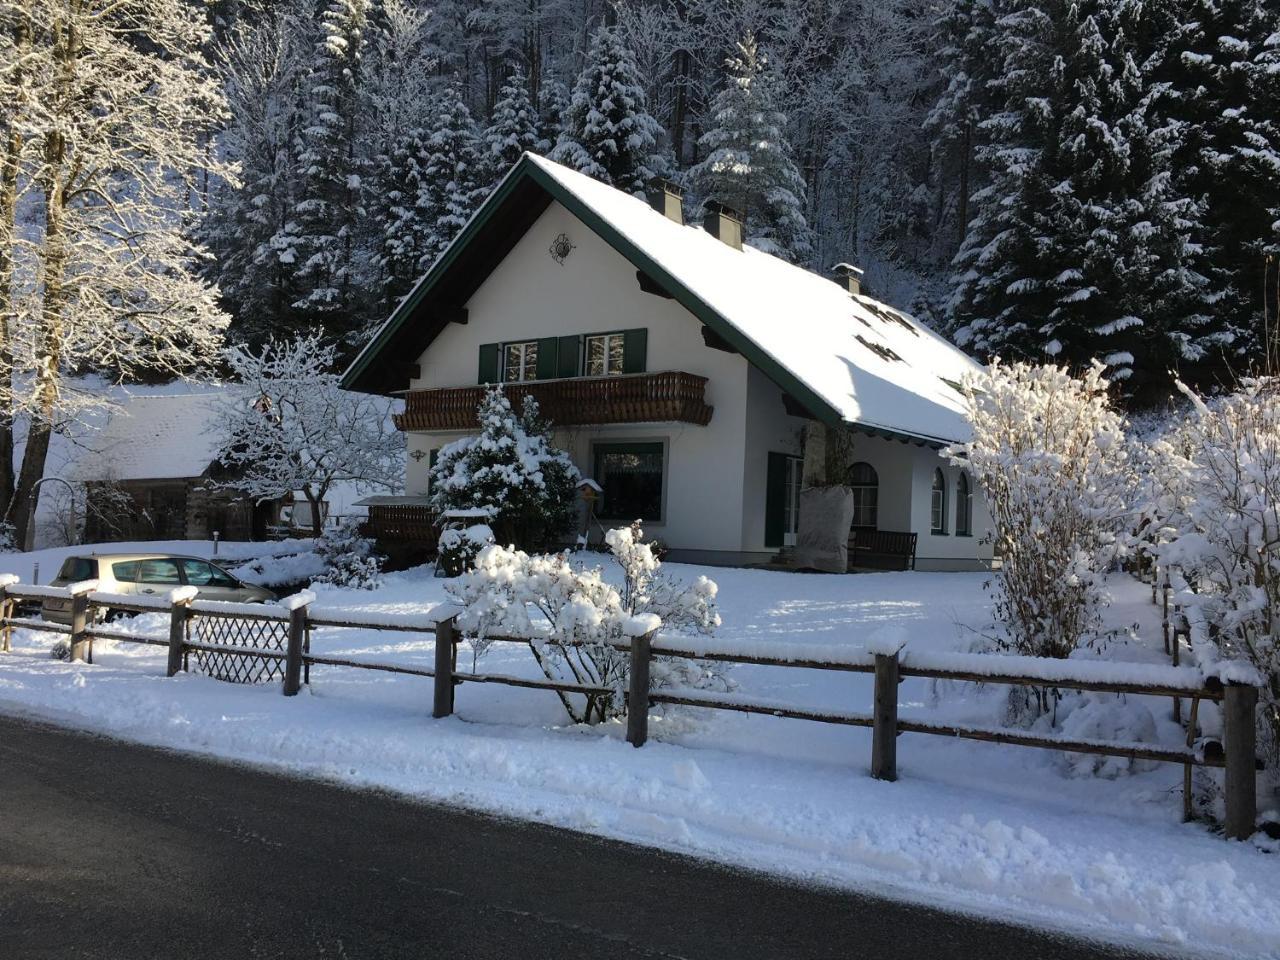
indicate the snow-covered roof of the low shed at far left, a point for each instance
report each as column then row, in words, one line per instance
column 153, row 438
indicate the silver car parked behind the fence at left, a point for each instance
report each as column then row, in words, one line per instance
column 149, row 575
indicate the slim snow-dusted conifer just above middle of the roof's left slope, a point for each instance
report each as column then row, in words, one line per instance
column 452, row 188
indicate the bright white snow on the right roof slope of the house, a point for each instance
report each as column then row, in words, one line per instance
column 870, row 363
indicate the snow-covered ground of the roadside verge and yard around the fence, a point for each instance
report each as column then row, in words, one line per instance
column 999, row 830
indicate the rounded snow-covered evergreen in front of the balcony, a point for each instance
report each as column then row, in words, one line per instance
column 513, row 470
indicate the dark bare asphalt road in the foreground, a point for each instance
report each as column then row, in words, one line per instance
column 116, row 851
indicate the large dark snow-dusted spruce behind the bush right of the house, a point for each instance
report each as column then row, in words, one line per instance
column 1080, row 248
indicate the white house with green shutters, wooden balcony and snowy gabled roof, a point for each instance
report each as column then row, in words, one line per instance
column 680, row 368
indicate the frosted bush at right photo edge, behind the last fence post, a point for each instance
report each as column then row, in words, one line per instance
column 1220, row 518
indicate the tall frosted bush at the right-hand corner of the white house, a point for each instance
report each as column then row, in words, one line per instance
column 1049, row 452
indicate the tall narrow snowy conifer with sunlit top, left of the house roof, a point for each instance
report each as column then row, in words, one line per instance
column 321, row 240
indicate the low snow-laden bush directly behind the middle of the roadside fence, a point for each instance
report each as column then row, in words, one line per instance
column 575, row 618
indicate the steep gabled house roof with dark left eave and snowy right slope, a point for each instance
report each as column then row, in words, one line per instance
column 844, row 359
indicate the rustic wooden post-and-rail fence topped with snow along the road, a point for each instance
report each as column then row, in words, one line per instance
column 1236, row 752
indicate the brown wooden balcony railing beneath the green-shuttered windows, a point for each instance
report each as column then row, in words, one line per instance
column 632, row 399
